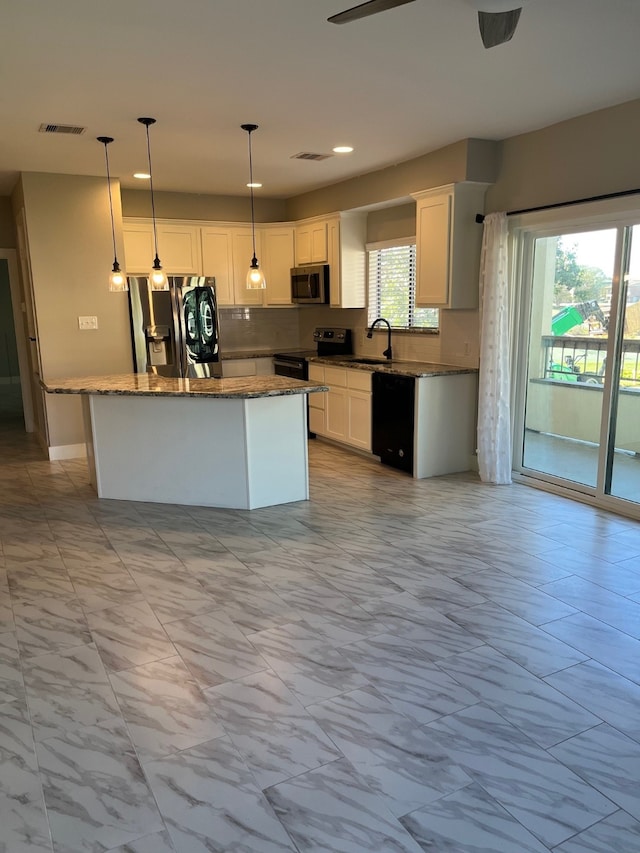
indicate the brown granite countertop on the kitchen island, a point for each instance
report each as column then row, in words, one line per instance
column 150, row 385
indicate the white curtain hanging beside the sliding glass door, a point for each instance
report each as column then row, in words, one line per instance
column 494, row 411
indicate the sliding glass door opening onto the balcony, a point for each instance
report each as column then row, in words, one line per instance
column 580, row 398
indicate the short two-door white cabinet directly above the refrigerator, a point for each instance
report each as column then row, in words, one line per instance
column 178, row 248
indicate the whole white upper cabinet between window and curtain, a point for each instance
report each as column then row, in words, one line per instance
column 448, row 242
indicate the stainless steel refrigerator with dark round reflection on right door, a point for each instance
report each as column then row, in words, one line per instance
column 175, row 332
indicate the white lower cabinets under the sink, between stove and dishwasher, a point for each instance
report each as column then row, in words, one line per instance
column 344, row 412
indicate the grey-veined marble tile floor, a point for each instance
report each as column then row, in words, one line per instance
column 394, row 665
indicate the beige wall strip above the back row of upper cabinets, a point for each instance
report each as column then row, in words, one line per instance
column 191, row 206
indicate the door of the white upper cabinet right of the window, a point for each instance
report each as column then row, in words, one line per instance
column 433, row 251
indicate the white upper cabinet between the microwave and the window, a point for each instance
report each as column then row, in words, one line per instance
column 347, row 234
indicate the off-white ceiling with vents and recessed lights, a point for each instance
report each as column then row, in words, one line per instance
column 396, row 85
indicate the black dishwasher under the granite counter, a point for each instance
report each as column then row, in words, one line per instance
column 392, row 418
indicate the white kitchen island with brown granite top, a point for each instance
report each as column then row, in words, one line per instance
column 238, row 443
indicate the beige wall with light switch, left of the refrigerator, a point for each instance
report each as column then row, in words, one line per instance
column 71, row 251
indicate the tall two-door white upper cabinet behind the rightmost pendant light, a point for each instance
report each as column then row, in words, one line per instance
column 226, row 255
